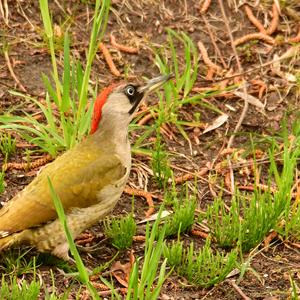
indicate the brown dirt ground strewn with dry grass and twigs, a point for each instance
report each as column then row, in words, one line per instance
column 142, row 24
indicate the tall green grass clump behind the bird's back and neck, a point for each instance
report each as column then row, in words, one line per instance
column 69, row 95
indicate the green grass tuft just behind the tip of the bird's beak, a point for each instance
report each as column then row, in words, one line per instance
column 175, row 93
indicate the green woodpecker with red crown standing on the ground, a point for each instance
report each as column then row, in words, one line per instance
column 88, row 179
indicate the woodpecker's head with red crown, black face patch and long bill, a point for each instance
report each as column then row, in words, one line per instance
column 120, row 101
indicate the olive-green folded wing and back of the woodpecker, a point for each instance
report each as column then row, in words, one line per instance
column 77, row 182
